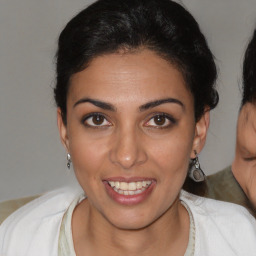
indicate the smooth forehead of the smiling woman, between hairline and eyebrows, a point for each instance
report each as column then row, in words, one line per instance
column 140, row 76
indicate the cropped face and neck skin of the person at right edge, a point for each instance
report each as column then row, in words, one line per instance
column 244, row 165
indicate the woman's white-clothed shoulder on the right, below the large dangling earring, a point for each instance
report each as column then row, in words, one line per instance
column 224, row 227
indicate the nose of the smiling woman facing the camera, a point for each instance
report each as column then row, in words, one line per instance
column 127, row 149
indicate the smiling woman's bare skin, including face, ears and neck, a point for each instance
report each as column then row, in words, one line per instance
column 130, row 118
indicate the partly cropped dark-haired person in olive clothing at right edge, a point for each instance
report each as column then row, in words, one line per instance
column 237, row 183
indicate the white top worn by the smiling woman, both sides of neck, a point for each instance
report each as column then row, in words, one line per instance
column 220, row 228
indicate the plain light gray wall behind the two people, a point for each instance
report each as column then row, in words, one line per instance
column 32, row 159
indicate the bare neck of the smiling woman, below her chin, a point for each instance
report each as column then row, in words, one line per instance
column 169, row 234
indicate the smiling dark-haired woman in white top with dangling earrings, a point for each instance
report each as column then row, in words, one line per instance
column 135, row 83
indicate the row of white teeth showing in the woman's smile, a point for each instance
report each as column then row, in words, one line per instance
column 130, row 188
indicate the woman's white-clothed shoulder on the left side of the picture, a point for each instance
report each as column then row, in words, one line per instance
column 37, row 221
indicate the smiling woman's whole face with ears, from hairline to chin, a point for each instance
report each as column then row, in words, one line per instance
column 131, row 133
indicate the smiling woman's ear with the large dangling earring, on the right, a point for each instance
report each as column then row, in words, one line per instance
column 201, row 129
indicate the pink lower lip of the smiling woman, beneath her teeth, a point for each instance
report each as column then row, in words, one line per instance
column 129, row 199
